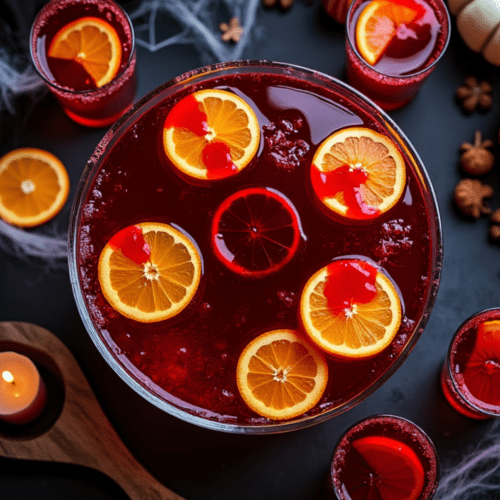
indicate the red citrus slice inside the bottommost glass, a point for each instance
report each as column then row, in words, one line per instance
column 398, row 469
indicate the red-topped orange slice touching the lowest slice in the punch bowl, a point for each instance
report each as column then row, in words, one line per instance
column 350, row 309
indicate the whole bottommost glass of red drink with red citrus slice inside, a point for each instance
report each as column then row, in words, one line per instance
column 384, row 458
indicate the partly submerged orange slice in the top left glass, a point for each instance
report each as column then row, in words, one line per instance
column 93, row 43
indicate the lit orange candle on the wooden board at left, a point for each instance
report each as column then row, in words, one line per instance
column 22, row 391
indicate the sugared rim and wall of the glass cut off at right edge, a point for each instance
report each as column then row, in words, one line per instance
column 453, row 381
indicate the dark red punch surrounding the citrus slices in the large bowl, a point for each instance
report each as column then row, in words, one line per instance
column 191, row 359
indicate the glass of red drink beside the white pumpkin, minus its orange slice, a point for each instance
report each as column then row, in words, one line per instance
column 396, row 77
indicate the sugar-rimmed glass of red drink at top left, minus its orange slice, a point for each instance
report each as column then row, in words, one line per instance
column 98, row 107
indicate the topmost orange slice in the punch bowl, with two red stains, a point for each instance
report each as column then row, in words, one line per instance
column 211, row 134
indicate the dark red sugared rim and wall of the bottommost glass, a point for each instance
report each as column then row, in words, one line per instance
column 382, row 427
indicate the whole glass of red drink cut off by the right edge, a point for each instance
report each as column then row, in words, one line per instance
column 474, row 363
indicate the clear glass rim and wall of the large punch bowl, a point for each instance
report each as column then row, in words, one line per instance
column 131, row 126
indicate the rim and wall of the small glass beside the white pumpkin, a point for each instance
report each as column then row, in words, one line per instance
column 388, row 91
